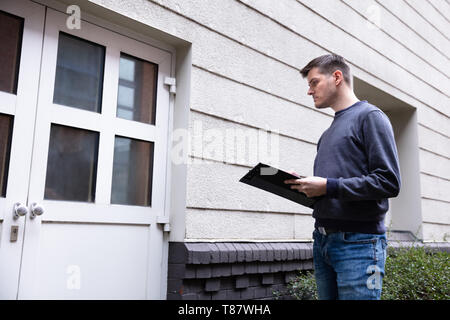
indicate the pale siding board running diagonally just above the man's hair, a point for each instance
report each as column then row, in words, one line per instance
column 329, row 36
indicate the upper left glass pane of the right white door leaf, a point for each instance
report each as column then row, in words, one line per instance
column 79, row 73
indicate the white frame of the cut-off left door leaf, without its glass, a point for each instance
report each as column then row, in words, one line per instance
column 22, row 107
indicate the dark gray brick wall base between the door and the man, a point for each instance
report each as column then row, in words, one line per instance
column 232, row 270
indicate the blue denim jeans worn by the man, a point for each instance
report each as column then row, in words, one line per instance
column 349, row 265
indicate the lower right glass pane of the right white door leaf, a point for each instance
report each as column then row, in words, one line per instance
column 132, row 172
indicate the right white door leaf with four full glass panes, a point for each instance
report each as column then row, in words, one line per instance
column 98, row 167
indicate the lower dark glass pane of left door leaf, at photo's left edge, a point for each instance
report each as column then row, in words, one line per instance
column 6, row 124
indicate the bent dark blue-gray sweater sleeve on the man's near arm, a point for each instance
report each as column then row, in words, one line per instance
column 383, row 178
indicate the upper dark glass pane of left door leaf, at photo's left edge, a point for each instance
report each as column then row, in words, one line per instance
column 11, row 29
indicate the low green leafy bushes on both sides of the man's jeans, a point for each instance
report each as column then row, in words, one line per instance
column 413, row 273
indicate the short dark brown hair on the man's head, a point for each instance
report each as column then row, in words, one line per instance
column 328, row 64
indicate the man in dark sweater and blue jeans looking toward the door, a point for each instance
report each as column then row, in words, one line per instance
column 356, row 170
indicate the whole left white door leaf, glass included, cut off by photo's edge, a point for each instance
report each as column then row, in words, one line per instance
column 21, row 27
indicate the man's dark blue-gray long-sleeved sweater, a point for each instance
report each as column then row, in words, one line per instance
column 358, row 156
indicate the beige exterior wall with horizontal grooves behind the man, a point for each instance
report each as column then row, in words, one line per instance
column 246, row 57
